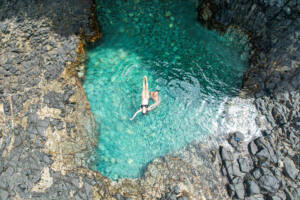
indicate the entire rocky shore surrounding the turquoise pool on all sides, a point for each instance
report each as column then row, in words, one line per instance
column 47, row 131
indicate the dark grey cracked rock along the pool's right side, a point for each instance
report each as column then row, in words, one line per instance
column 268, row 166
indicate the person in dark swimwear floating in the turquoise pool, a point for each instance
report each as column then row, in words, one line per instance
column 145, row 99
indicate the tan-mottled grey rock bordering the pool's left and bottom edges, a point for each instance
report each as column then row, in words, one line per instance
column 46, row 127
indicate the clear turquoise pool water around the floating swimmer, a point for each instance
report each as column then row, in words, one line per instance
column 195, row 71
